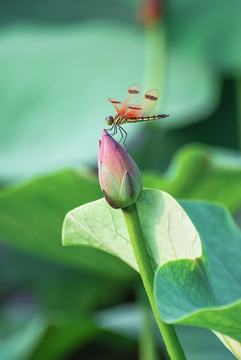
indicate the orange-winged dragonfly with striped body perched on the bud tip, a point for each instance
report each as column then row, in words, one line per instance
column 128, row 113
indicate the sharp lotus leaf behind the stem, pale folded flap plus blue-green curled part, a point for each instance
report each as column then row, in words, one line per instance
column 171, row 236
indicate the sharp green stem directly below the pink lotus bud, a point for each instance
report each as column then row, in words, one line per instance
column 143, row 261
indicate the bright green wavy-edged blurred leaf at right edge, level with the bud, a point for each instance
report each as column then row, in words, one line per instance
column 201, row 172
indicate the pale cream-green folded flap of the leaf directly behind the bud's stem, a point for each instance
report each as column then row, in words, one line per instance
column 98, row 225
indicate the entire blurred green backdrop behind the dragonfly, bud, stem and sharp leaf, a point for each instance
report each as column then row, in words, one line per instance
column 59, row 63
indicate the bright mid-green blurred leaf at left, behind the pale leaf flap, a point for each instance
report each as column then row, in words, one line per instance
column 31, row 217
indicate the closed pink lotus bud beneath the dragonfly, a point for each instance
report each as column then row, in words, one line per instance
column 119, row 176
